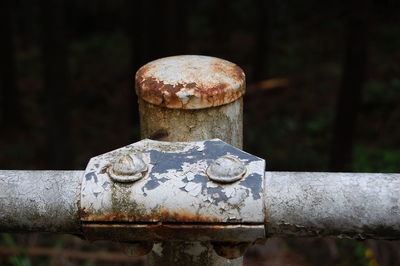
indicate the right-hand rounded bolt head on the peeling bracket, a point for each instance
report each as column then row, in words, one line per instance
column 226, row 169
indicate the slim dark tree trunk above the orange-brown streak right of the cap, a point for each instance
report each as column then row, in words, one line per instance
column 262, row 31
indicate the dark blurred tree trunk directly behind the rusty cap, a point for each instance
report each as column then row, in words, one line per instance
column 151, row 39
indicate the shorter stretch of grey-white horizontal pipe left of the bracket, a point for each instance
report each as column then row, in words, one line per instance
column 40, row 201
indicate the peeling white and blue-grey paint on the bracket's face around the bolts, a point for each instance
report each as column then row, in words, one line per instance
column 176, row 189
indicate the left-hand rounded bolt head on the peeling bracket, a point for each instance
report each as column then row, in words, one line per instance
column 127, row 168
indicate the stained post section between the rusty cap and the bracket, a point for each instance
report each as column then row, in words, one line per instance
column 224, row 122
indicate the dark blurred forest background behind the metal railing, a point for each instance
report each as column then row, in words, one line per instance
column 323, row 94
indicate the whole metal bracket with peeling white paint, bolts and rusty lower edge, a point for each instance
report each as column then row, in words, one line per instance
column 172, row 194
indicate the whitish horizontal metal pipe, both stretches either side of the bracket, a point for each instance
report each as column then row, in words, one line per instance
column 297, row 204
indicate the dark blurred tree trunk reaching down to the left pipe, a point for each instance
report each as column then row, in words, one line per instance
column 57, row 84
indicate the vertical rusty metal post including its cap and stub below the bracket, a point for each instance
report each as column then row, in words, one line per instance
column 190, row 98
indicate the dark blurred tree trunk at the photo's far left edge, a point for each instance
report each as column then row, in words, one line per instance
column 11, row 113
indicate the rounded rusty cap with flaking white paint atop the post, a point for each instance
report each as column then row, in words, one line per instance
column 190, row 82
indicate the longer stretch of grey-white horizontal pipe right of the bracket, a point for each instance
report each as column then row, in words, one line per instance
column 353, row 205
